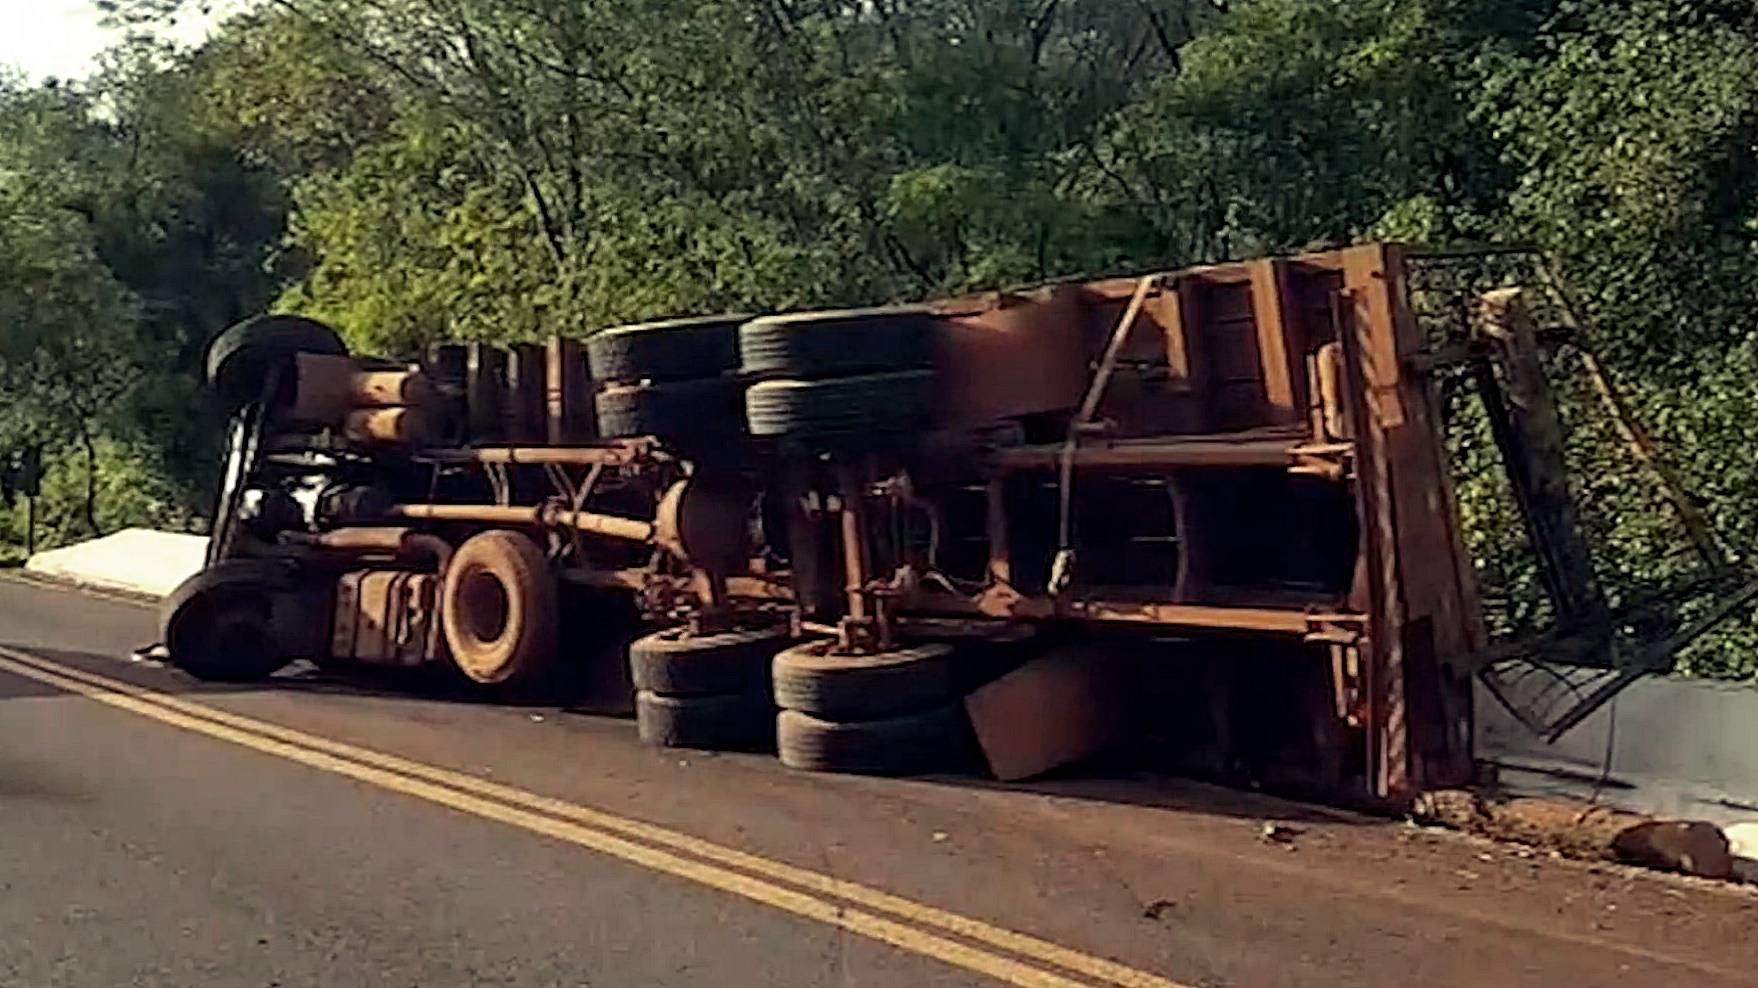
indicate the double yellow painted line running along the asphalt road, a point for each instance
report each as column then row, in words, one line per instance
column 588, row 829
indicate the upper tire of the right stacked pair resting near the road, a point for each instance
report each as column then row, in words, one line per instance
column 864, row 688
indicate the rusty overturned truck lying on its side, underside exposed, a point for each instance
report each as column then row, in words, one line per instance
column 827, row 532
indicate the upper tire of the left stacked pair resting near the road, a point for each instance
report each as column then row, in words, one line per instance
column 676, row 664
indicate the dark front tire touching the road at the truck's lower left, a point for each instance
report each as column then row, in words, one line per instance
column 219, row 625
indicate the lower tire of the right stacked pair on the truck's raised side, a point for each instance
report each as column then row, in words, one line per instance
column 841, row 410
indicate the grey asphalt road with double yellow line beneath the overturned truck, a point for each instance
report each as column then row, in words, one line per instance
column 321, row 834
